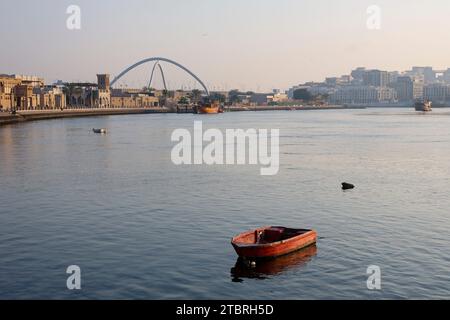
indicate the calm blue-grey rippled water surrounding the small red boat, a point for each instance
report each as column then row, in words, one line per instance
column 141, row 228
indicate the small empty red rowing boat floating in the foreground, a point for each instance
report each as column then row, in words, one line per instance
column 271, row 242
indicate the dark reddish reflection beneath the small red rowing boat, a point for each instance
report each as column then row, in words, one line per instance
column 265, row 268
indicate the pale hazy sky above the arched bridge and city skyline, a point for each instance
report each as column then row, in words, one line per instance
column 254, row 45
